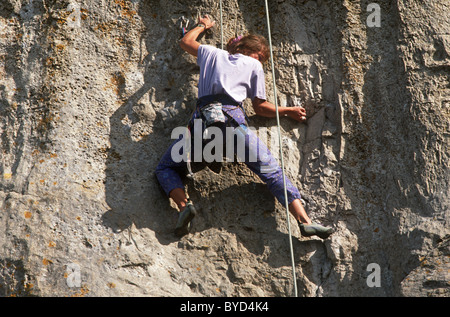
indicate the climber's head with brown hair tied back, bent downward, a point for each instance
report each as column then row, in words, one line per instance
column 255, row 46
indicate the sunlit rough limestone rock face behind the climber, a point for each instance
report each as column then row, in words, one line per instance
column 90, row 92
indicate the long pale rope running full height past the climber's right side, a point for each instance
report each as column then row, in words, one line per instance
column 281, row 148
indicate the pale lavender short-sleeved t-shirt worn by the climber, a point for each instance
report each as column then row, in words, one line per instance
column 238, row 76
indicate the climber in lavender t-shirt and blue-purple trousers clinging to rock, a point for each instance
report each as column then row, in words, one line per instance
column 228, row 78
